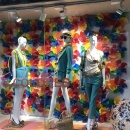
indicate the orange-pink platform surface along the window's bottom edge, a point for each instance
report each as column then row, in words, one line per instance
column 40, row 126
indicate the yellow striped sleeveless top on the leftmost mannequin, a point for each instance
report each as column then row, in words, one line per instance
column 22, row 58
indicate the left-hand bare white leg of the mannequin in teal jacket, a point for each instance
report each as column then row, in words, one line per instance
column 53, row 101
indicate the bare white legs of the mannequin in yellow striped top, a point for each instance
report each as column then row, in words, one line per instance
column 17, row 103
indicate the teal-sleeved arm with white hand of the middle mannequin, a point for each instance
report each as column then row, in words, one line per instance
column 69, row 52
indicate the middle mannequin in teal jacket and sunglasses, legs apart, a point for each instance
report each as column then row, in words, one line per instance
column 64, row 66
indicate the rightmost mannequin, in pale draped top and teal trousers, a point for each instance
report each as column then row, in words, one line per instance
column 93, row 76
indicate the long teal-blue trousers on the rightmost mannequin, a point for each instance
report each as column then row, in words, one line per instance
column 92, row 85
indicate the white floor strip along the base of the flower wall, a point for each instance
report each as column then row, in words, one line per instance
column 41, row 119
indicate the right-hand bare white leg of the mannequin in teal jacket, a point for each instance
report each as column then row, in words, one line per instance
column 66, row 97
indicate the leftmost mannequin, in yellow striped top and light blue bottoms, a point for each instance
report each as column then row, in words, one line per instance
column 19, row 71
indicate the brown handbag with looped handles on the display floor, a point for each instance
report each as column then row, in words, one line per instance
column 65, row 123
